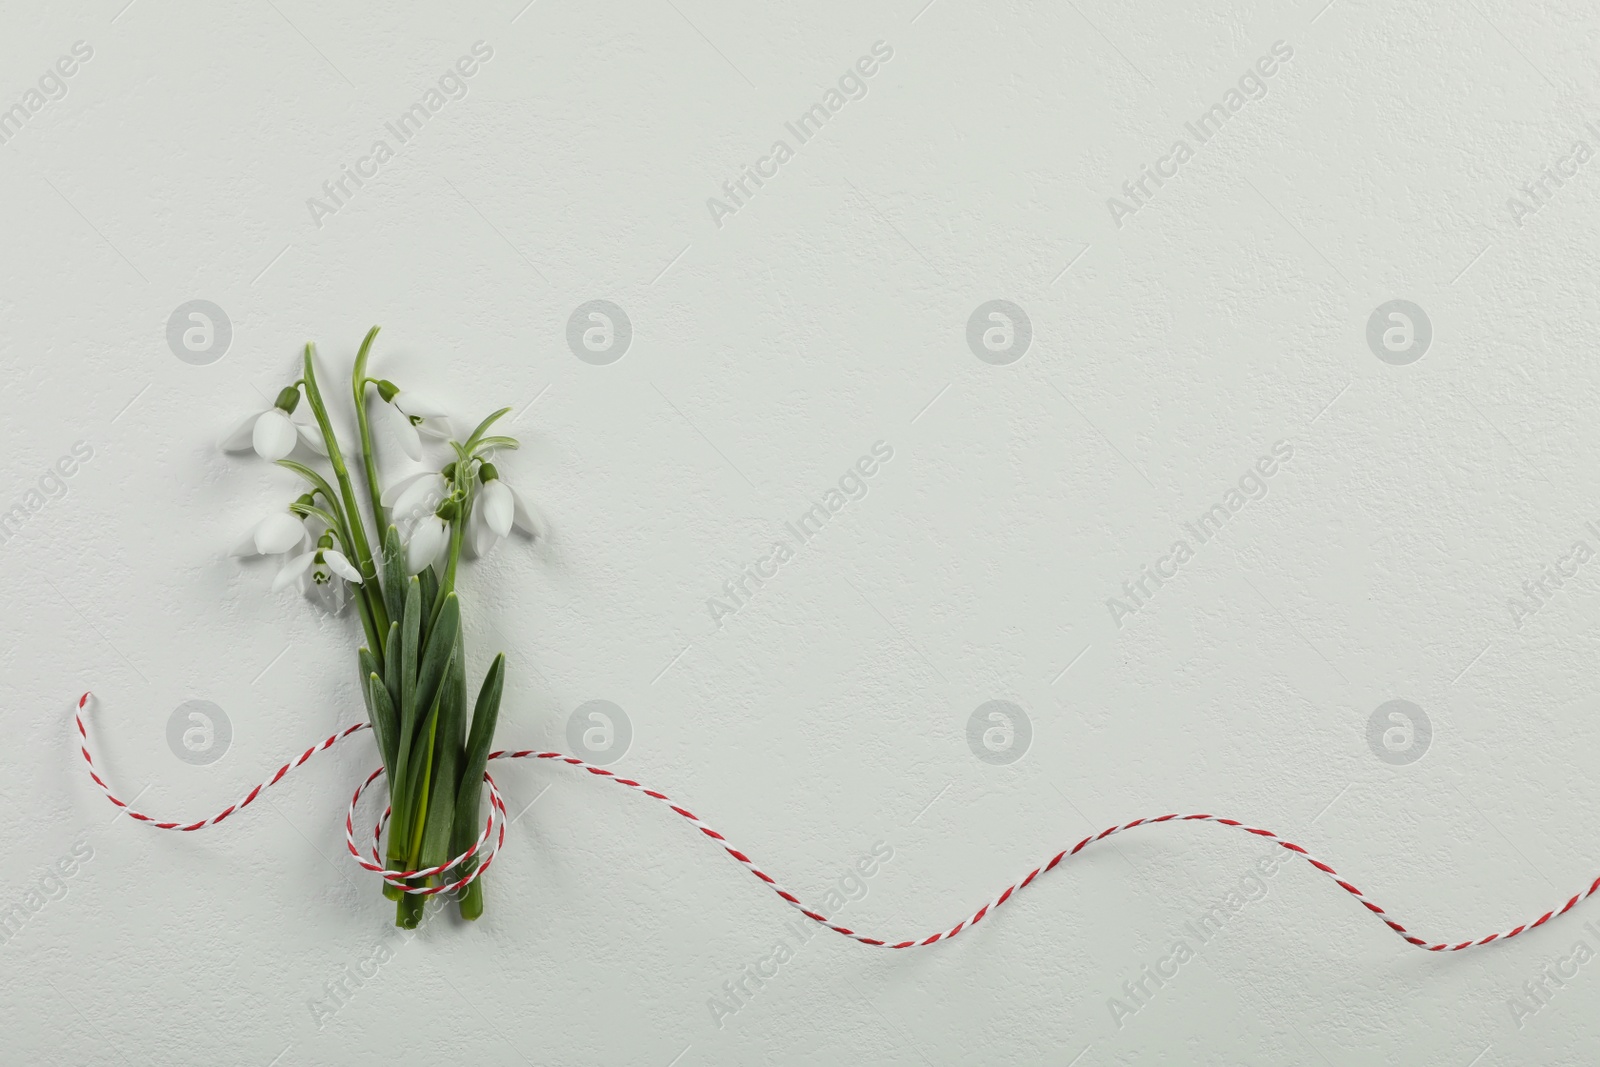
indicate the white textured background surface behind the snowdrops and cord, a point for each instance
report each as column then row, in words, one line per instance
column 769, row 354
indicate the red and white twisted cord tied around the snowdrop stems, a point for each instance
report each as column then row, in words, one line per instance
column 498, row 821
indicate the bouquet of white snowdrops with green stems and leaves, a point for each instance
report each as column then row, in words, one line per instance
column 414, row 666
